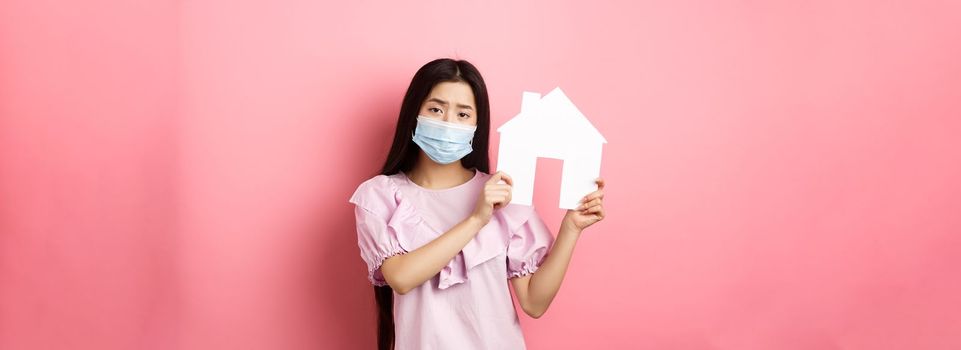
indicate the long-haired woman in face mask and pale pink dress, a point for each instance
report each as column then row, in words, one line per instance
column 438, row 233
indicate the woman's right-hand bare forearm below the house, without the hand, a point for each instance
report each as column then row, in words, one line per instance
column 545, row 283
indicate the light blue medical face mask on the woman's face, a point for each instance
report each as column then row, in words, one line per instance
column 443, row 142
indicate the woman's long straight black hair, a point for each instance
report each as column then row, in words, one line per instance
column 404, row 152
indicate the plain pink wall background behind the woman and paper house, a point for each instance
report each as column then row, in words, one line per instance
column 782, row 175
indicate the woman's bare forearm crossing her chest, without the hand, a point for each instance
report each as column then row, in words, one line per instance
column 405, row 272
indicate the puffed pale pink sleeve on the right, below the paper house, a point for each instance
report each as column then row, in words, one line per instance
column 529, row 243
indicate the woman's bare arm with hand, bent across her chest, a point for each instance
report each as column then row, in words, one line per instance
column 405, row 272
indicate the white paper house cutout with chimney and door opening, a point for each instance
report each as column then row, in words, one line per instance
column 550, row 127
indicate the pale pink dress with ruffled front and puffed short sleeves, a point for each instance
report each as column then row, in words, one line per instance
column 467, row 305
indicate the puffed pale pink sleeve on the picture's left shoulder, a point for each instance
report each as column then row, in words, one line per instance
column 380, row 228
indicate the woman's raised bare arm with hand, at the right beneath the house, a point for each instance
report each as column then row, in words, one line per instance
column 536, row 291
